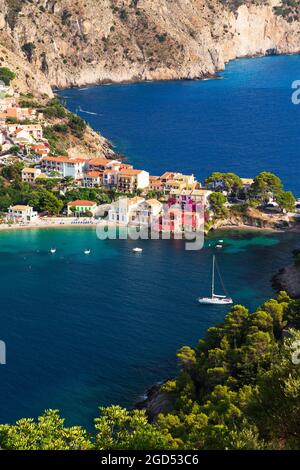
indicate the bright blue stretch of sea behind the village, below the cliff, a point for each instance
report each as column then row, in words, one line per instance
column 245, row 123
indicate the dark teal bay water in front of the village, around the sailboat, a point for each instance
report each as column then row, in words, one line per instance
column 84, row 331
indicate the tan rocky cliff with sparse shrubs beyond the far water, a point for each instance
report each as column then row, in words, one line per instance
column 77, row 42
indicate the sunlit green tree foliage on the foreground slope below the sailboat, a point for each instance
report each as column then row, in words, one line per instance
column 238, row 389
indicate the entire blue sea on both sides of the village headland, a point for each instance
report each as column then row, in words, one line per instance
column 88, row 331
